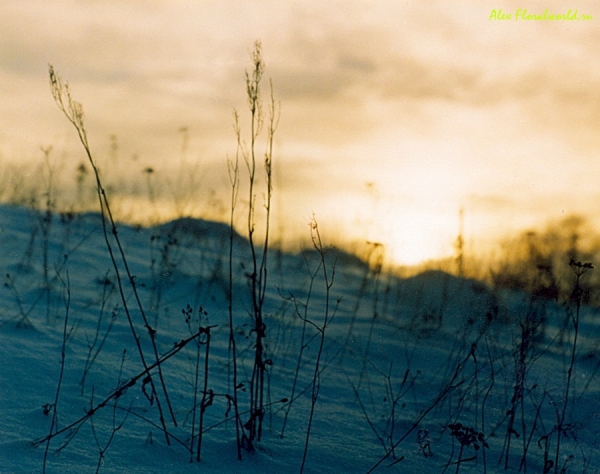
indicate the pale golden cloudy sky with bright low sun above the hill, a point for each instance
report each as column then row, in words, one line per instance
column 394, row 115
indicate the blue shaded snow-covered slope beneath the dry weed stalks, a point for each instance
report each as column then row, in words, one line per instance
column 415, row 375
